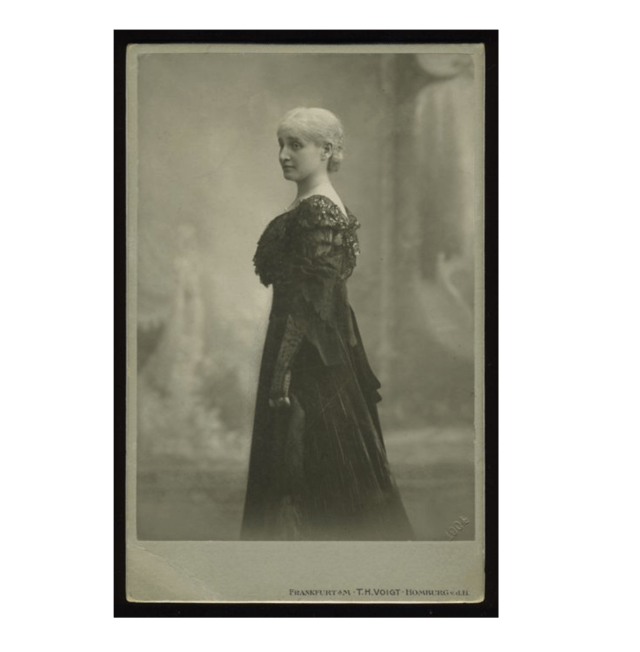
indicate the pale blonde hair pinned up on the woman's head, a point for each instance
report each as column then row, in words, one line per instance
column 321, row 127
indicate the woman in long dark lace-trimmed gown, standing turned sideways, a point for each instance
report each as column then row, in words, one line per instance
column 318, row 467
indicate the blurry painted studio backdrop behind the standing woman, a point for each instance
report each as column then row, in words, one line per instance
column 209, row 183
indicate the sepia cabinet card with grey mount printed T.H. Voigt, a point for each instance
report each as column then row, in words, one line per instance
column 305, row 326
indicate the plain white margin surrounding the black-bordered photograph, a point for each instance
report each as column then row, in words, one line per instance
column 568, row 145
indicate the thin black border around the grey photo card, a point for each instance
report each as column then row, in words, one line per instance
column 489, row 608
